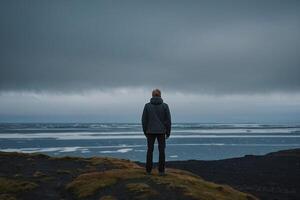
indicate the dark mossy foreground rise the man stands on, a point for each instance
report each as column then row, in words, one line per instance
column 38, row 176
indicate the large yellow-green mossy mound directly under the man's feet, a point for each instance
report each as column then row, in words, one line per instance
column 138, row 185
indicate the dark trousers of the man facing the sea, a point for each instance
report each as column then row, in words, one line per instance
column 161, row 148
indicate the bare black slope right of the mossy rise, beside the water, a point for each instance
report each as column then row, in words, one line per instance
column 269, row 177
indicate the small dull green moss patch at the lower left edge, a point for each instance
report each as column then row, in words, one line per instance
column 15, row 186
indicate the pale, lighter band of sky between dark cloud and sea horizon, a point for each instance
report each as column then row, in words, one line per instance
column 126, row 105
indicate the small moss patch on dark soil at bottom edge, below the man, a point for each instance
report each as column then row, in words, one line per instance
column 141, row 190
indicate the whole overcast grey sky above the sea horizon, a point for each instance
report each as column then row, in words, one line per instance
column 97, row 61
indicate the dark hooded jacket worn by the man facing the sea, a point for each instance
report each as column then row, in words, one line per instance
column 156, row 117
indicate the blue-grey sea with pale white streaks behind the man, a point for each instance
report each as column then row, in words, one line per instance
column 200, row 141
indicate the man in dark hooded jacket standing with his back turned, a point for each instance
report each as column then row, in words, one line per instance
column 156, row 121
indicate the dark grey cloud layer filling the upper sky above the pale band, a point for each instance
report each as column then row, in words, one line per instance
column 207, row 46
